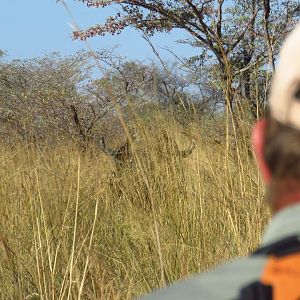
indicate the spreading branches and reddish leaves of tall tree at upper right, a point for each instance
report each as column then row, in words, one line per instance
column 238, row 35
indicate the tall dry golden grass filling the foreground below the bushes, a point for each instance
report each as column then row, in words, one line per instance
column 73, row 226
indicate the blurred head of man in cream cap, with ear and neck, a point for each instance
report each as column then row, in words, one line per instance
column 276, row 139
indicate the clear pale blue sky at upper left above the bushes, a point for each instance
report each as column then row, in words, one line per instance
column 31, row 28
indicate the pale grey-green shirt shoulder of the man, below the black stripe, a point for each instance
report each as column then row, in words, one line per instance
column 223, row 282
